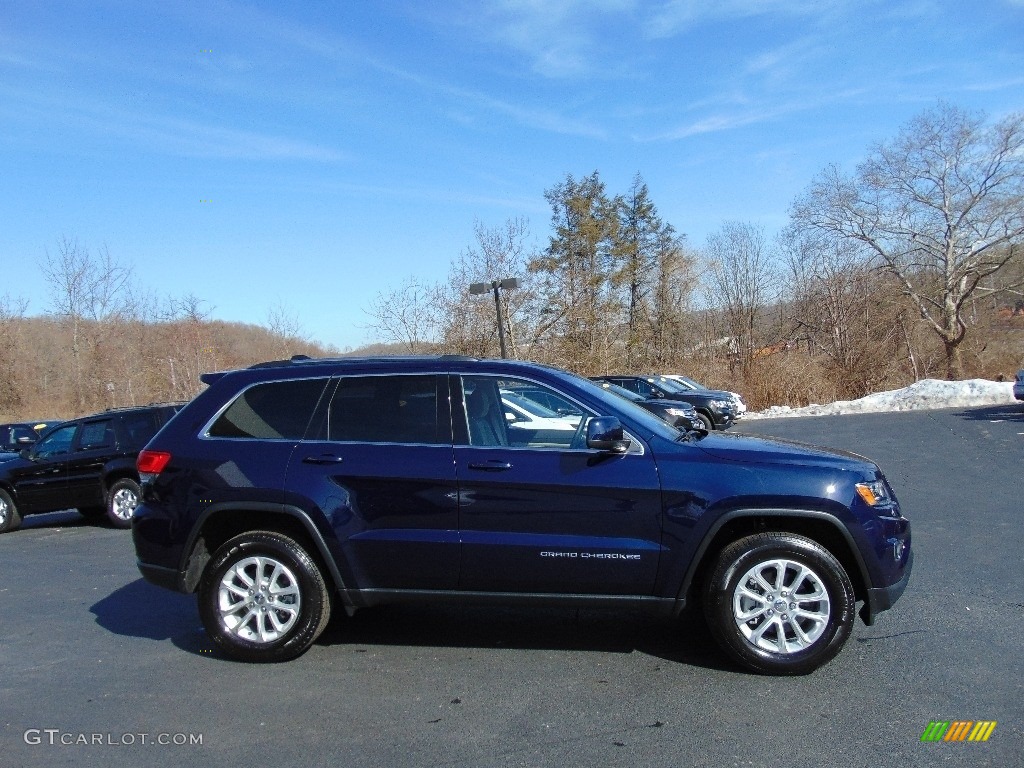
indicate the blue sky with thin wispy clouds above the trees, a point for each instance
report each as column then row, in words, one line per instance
column 312, row 155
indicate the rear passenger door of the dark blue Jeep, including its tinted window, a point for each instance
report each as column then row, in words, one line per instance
column 380, row 470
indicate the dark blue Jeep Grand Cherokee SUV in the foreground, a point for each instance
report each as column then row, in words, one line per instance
column 291, row 489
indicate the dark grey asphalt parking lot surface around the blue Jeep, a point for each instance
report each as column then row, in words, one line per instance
column 103, row 669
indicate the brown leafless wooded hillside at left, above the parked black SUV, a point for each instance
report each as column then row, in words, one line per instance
column 68, row 365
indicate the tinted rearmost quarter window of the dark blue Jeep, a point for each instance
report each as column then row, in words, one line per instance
column 278, row 410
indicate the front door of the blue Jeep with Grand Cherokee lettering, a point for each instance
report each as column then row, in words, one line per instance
column 543, row 514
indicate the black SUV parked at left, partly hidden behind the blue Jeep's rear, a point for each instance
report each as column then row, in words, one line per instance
column 88, row 464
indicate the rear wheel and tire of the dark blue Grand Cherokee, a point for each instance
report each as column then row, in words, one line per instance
column 278, row 621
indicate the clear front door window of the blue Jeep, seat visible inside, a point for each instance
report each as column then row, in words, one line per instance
column 511, row 412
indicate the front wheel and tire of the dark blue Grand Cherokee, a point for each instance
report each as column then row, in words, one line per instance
column 749, row 604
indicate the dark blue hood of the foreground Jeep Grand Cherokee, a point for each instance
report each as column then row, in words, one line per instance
column 745, row 449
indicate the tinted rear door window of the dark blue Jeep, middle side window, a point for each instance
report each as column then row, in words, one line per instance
column 388, row 409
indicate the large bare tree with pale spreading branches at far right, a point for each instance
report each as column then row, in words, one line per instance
column 942, row 208
